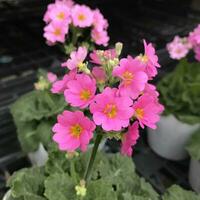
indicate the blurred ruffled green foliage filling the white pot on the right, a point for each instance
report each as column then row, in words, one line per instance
column 180, row 92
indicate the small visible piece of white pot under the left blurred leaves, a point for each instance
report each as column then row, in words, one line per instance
column 38, row 157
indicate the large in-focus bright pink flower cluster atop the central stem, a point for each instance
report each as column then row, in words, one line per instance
column 111, row 96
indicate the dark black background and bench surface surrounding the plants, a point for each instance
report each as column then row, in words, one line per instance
column 23, row 51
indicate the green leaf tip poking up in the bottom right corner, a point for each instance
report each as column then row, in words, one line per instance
column 177, row 193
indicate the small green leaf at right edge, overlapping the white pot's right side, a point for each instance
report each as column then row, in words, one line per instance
column 193, row 146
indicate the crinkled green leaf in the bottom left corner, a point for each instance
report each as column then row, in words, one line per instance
column 27, row 182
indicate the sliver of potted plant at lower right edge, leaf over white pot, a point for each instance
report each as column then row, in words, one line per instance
column 193, row 148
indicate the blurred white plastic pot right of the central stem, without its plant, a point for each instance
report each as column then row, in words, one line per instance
column 170, row 137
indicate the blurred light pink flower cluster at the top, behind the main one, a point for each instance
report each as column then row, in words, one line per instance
column 65, row 19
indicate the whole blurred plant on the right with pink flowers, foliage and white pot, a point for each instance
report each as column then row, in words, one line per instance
column 180, row 94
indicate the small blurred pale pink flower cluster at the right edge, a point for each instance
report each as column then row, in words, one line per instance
column 180, row 47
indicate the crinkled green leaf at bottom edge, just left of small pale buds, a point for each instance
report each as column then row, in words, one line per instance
column 60, row 186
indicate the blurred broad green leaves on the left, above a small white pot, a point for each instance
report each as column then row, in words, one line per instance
column 34, row 115
